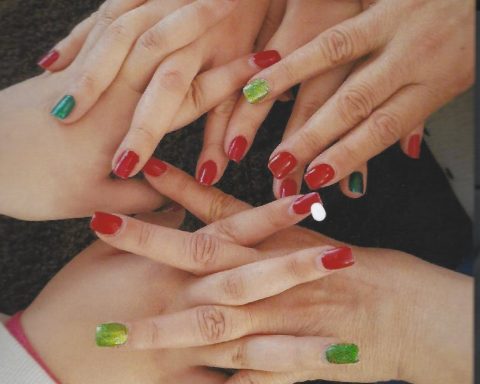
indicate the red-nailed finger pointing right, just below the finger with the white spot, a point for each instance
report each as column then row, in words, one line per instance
column 267, row 278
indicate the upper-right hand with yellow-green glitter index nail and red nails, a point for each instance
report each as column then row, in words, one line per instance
column 416, row 63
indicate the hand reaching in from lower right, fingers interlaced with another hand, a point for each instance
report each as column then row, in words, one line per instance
column 391, row 304
